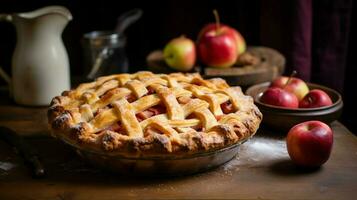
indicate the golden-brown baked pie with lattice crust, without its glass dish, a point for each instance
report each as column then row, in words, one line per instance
column 146, row 114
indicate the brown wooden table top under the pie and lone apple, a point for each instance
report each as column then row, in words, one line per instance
column 262, row 170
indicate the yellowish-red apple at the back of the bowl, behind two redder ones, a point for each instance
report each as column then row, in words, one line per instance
column 295, row 85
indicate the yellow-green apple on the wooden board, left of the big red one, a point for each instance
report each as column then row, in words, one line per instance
column 180, row 54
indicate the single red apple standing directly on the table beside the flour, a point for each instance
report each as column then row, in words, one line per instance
column 309, row 143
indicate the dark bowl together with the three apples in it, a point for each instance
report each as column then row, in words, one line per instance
column 288, row 101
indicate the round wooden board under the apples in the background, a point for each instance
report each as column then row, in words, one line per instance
column 270, row 64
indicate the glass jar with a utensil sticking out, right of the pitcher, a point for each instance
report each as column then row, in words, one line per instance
column 104, row 51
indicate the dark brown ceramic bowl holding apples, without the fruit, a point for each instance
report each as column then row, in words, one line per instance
column 283, row 119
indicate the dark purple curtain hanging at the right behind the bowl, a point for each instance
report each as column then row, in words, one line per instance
column 320, row 40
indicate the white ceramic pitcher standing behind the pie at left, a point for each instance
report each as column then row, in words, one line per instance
column 40, row 66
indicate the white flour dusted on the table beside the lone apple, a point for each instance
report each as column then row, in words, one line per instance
column 258, row 152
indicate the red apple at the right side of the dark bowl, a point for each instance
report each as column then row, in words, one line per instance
column 315, row 98
